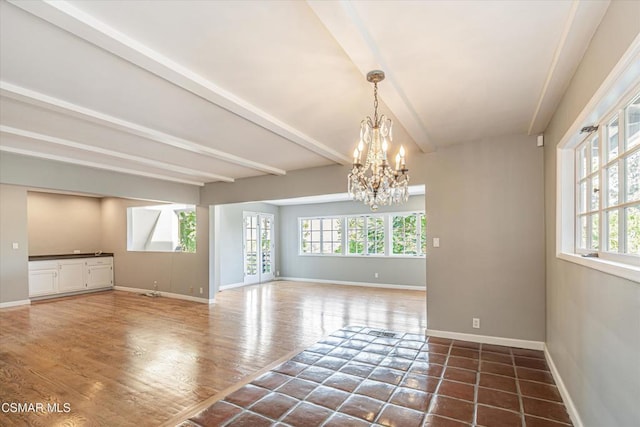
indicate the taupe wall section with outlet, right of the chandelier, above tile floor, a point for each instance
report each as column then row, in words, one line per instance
column 485, row 203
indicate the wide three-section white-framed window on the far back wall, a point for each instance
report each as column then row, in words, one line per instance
column 378, row 235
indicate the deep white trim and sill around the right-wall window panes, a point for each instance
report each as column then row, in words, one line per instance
column 615, row 88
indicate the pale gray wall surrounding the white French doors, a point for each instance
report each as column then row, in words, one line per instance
column 230, row 262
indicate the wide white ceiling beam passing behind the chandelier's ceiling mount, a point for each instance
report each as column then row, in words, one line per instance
column 342, row 21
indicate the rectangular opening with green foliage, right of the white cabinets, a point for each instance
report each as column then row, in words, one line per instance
column 162, row 228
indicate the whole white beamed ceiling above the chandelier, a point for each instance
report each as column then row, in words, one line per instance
column 204, row 91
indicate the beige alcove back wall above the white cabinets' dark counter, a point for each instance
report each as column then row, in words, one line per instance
column 60, row 224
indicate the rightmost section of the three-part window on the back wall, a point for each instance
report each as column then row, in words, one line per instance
column 409, row 234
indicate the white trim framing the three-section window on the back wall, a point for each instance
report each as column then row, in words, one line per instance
column 388, row 253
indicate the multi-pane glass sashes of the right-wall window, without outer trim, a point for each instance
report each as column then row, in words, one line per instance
column 608, row 185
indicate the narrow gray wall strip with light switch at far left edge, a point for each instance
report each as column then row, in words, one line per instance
column 14, row 273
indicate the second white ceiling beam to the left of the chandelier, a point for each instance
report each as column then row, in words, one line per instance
column 31, row 97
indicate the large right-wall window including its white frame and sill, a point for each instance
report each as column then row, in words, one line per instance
column 598, row 183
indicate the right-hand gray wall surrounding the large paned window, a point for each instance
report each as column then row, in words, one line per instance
column 593, row 319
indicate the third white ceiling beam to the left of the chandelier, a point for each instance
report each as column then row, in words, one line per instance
column 111, row 153
